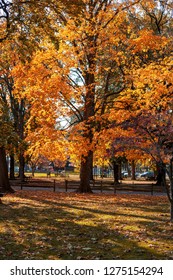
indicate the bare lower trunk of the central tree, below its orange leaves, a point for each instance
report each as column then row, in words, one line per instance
column 85, row 173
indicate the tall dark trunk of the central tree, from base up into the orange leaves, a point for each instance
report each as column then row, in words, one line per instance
column 89, row 111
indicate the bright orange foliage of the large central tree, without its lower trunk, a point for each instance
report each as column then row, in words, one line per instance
column 104, row 49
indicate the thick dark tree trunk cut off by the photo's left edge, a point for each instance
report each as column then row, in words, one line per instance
column 4, row 181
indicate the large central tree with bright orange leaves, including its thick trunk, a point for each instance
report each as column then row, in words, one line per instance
column 84, row 81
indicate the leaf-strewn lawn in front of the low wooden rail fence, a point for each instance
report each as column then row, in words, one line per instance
column 60, row 226
